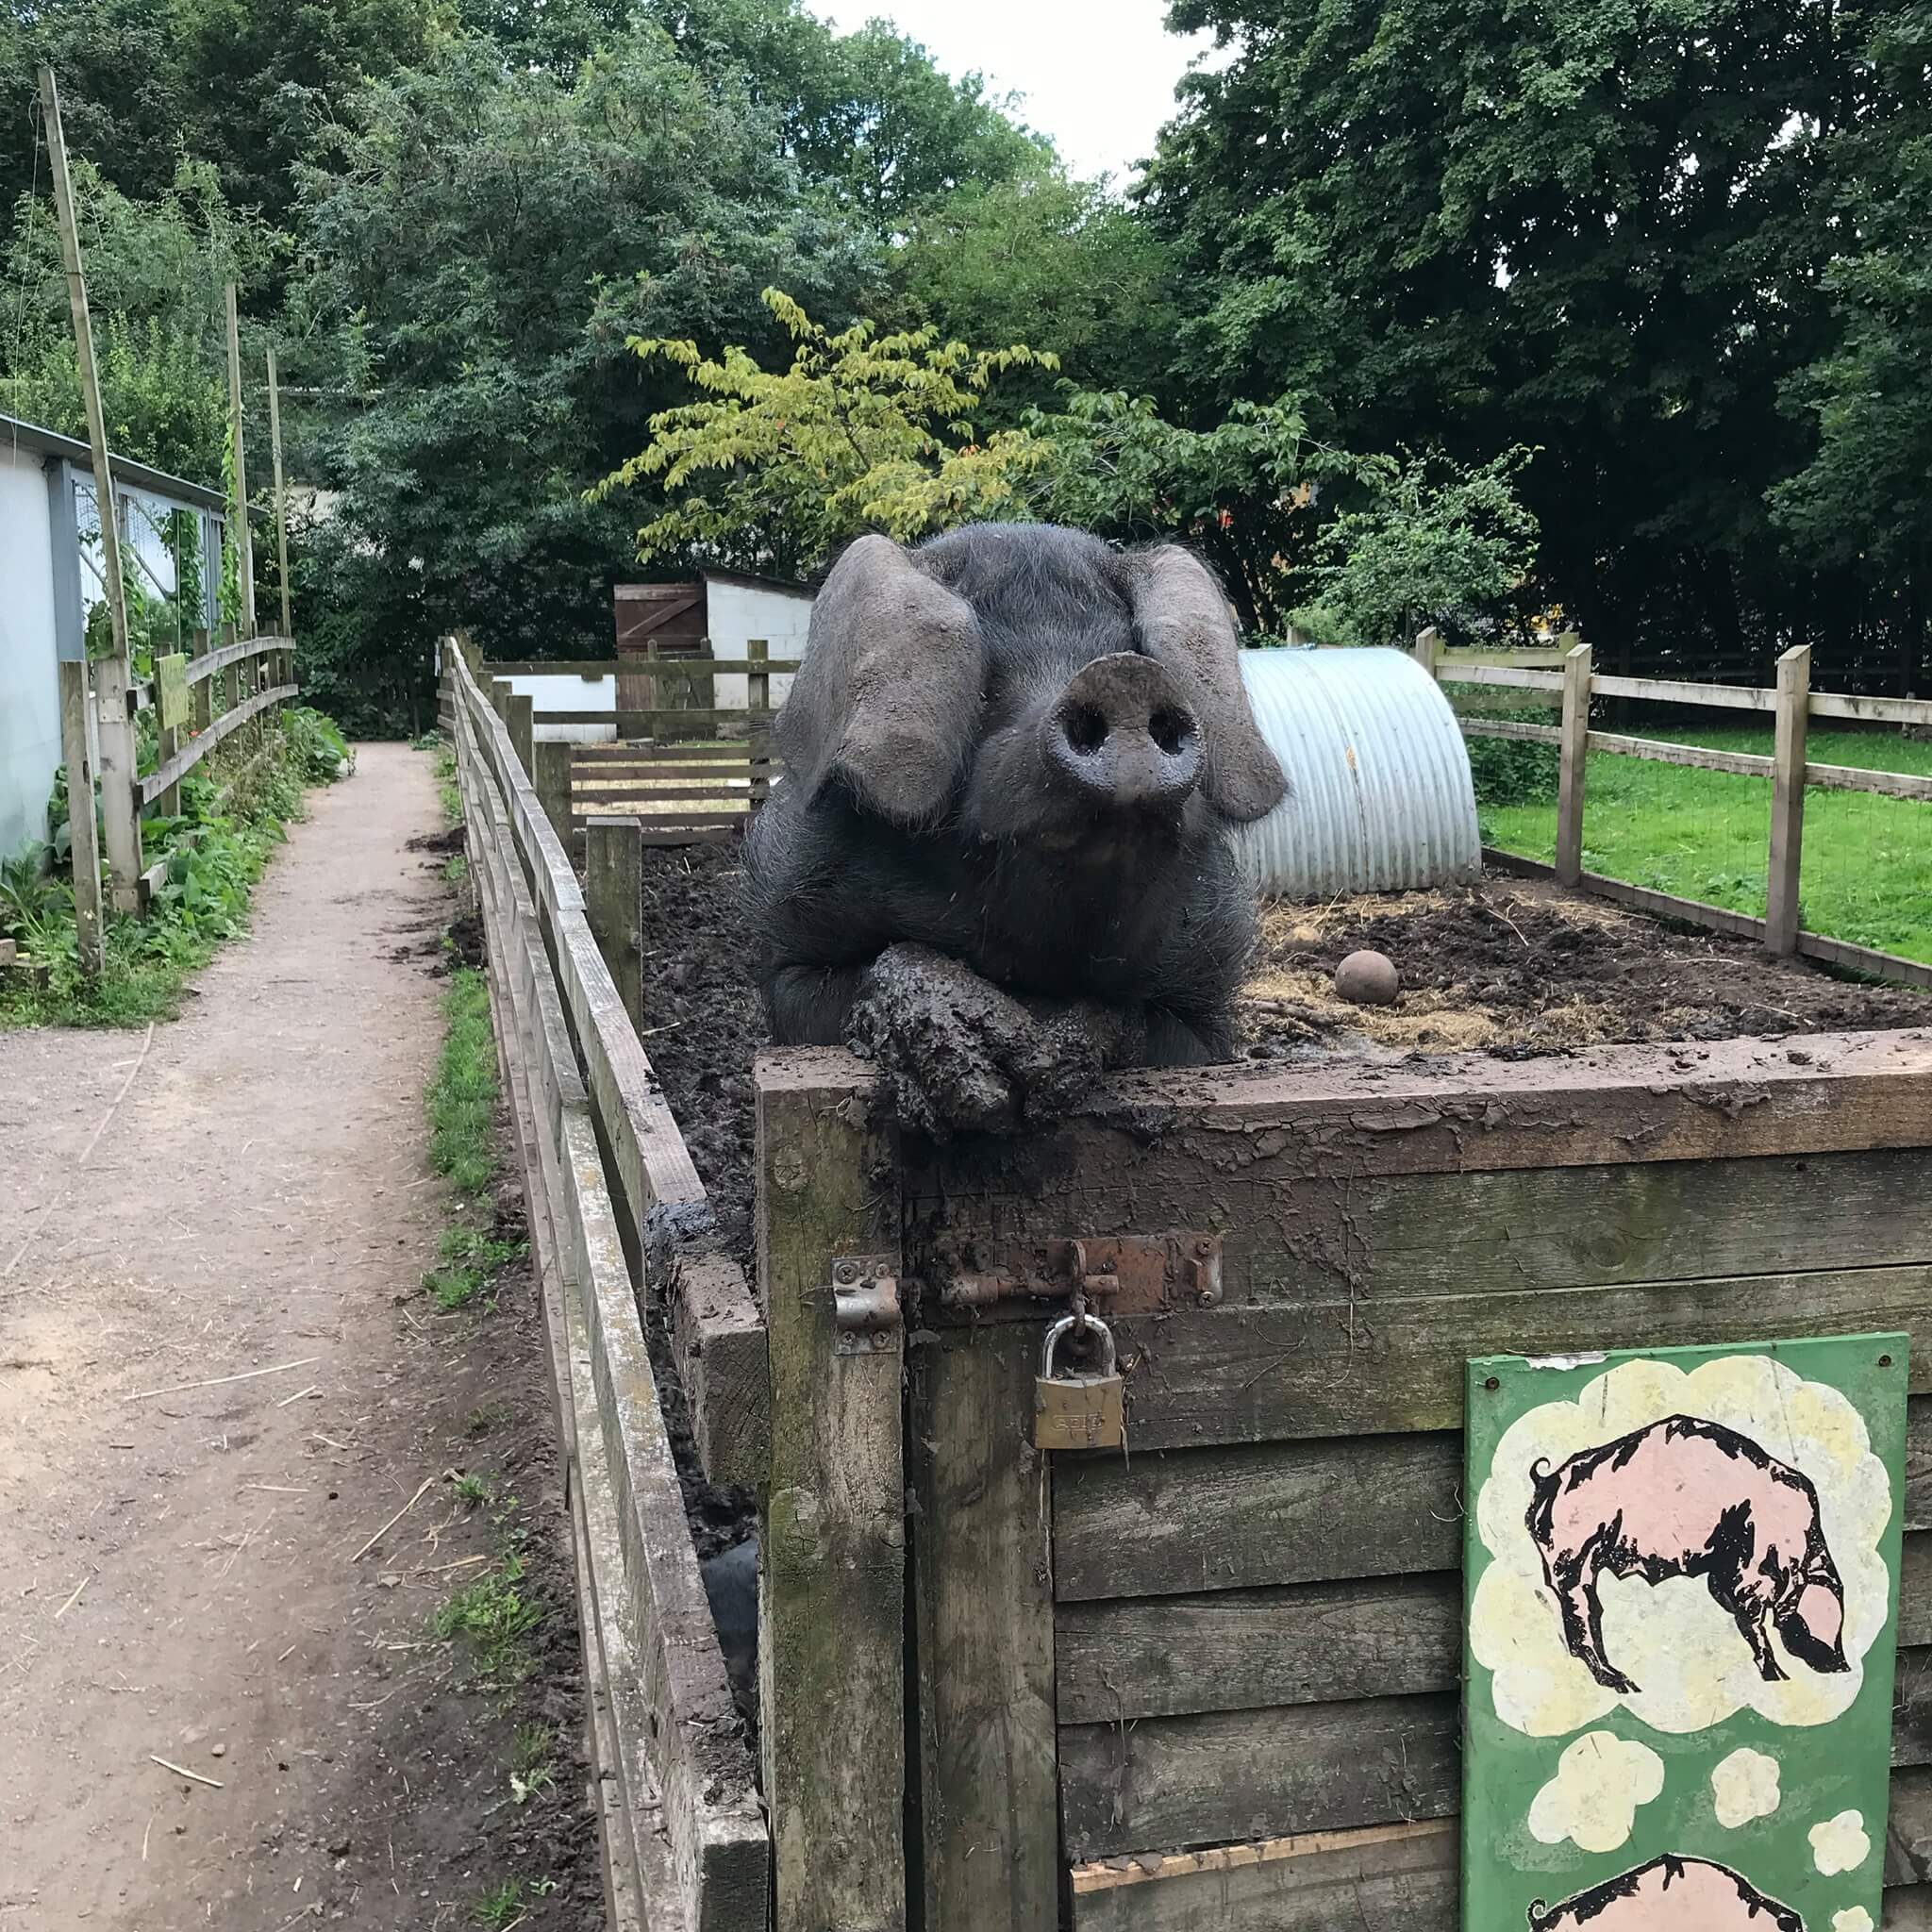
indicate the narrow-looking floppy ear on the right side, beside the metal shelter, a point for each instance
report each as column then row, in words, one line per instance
column 1183, row 625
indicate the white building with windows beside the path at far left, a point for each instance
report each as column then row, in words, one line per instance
column 51, row 579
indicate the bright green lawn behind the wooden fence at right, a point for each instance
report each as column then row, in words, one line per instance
column 1867, row 865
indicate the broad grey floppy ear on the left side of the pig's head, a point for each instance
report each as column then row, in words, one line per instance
column 890, row 691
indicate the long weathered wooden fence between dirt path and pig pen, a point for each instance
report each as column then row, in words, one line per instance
column 615, row 1205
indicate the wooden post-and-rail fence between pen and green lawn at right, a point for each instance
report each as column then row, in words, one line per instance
column 1792, row 706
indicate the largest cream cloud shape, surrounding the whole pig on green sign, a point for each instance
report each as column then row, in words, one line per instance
column 1688, row 1657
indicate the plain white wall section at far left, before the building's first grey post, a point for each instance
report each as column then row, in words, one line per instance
column 30, row 681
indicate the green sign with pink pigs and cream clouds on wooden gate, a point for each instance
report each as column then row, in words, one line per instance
column 1682, row 1583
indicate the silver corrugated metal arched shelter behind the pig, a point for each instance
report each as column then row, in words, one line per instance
column 1382, row 799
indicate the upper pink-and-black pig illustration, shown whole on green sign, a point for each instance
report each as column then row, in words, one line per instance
column 1690, row 1498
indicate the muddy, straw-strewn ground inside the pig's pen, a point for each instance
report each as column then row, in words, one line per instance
column 1508, row 967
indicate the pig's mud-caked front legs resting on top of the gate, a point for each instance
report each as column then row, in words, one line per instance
column 963, row 1056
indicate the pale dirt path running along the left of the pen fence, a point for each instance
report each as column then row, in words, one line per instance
column 177, row 1570
